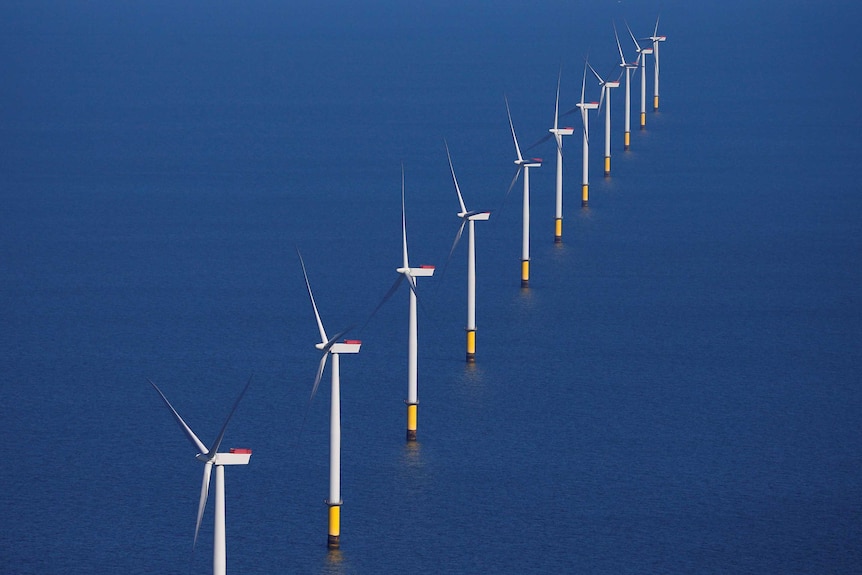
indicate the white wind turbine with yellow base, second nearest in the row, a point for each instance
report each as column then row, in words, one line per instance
column 334, row 348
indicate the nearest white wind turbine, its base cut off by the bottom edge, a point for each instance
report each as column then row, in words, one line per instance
column 212, row 458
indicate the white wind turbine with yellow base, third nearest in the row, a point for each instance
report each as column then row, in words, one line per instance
column 410, row 274
